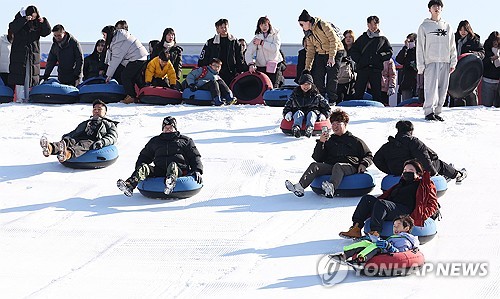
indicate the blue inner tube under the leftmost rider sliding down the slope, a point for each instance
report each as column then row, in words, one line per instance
column 94, row 159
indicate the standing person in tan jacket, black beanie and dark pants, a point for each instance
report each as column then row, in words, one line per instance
column 323, row 54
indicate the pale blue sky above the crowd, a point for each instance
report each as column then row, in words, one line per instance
column 194, row 22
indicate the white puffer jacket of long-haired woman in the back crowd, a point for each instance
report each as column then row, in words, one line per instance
column 268, row 51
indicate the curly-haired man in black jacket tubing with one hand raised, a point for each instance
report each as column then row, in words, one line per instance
column 338, row 155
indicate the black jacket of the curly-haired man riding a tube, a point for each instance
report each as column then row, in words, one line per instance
column 343, row 149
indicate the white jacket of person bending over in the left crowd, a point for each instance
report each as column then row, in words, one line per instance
column 124, row 48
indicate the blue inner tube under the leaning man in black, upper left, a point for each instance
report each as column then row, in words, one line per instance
column 53, row 92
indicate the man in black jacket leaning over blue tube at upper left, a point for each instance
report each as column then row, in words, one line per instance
column 66, row 52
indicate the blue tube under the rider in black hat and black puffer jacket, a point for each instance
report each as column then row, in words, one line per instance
column 185, row 187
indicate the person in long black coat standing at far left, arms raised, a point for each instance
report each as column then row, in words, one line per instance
column 24, row 69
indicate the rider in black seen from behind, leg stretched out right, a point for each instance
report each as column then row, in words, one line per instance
column 404, row 146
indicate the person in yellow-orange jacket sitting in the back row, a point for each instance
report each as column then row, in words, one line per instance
column 160, row 72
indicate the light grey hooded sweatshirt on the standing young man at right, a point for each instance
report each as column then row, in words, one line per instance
column 436, row 43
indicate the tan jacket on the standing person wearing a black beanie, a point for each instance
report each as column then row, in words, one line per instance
column 322, row 40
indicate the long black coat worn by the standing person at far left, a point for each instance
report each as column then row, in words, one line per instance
column 26, row 48
